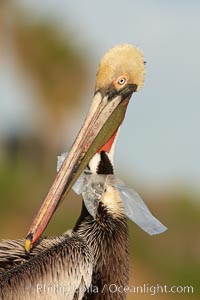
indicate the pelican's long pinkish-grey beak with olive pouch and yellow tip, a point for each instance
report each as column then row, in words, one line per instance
column 104, row 117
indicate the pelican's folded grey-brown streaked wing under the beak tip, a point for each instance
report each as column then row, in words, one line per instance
column 58, row 268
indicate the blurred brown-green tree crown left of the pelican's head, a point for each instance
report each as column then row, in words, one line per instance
column 57, row 67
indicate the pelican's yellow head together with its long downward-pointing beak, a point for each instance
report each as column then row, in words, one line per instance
column 120, row 73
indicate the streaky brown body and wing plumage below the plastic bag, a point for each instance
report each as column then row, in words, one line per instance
column 94, row 256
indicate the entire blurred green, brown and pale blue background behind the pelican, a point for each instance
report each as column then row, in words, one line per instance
column 48, row 58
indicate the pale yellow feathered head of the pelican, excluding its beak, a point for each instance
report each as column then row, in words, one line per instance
column 121, row 66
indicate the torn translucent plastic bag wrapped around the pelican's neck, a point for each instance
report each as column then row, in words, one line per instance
column 92, row 186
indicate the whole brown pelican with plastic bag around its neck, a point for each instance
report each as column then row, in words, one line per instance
column 90, row 261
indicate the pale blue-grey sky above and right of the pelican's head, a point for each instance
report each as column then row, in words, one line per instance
column 159, row 140
